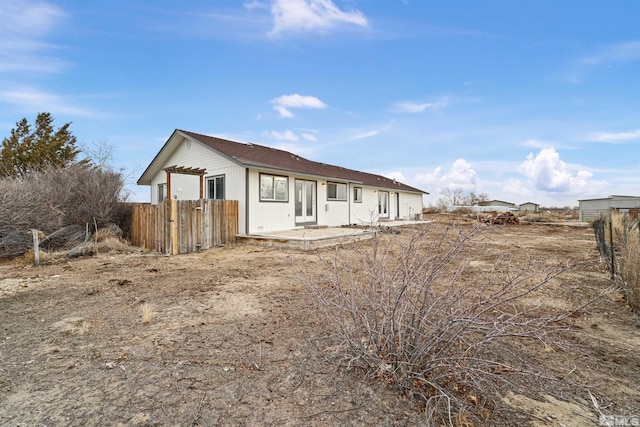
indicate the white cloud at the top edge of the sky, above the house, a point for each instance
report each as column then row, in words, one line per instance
column 309, row 15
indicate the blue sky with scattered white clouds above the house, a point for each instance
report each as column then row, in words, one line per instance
column 524, row 100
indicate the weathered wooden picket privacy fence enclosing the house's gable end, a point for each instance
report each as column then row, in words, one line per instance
column 182, row 226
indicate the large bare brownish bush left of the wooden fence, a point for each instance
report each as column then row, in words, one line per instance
column 51, row 199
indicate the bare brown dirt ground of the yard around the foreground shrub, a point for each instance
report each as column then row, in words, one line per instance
column 235, row 339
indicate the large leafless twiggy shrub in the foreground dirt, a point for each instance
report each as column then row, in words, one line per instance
column 403, row 310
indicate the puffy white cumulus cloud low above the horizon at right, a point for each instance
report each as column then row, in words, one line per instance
column 547, row 172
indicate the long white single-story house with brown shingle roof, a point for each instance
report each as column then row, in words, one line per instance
column 275, row 189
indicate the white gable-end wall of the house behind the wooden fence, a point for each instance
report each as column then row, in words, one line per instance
column 187, row 187
